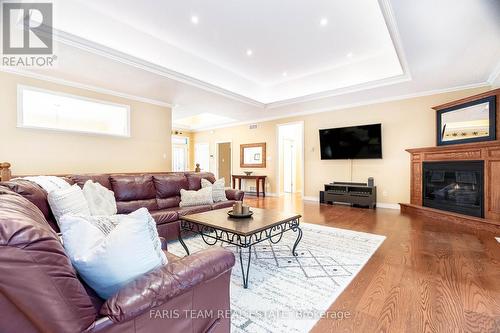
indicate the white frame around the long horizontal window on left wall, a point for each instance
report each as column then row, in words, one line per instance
column 20, row 121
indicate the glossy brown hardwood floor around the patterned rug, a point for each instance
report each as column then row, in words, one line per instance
column 428, row 276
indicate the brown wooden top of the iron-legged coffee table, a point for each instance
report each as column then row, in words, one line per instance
column 261, row 219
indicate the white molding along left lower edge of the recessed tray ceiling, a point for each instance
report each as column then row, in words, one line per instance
column 127, row 59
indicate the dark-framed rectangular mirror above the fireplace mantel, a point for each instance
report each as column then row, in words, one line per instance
column 469, row 122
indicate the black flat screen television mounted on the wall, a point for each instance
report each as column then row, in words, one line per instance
column 356, row 142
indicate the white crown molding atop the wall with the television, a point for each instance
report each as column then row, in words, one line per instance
column 346, row 106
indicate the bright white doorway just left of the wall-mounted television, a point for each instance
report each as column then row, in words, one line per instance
column 291, row 158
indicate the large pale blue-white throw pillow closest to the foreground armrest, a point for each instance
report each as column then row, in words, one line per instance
column 107, row 262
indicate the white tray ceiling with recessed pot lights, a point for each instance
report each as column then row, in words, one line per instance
column 369, row 50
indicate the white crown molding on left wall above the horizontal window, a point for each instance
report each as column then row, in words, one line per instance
column 92, row 88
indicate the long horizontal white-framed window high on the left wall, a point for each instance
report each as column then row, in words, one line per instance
column 51, row 110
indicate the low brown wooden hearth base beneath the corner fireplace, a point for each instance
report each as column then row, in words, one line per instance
column 442, row 215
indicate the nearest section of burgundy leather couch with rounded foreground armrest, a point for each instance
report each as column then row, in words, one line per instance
column 41, row 292
